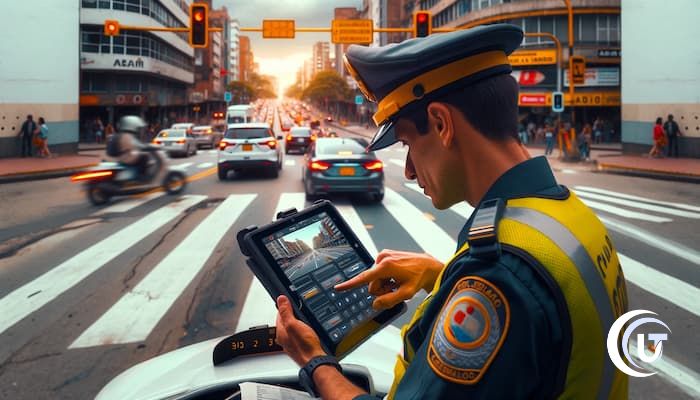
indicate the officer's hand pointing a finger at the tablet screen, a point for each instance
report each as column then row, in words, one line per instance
column 397, row 276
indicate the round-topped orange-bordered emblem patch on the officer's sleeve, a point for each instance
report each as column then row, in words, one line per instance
column 469, row 331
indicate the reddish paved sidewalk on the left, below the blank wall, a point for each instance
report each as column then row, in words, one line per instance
column 32, row 168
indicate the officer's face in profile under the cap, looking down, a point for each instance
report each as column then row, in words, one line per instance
column 430, row 164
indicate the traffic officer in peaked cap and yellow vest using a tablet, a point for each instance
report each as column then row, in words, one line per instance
column 524, row 307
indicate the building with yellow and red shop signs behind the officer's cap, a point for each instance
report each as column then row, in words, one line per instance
column 597, row 37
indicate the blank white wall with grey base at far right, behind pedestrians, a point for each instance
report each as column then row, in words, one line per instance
column 658, row 80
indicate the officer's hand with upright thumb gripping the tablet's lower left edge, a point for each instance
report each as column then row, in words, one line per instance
column 297, row 339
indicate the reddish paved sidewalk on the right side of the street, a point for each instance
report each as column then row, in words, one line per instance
column 606, row 157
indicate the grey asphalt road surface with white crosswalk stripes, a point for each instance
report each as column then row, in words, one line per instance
column 87, row 292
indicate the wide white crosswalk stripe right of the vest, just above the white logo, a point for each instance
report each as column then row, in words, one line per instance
column 661, row 285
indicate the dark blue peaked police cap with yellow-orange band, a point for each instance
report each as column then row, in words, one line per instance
column 401, row 74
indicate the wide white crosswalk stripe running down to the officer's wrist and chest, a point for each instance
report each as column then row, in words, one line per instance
column 426, row 233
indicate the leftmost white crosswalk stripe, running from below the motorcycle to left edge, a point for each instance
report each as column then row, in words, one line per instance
column 30, row 297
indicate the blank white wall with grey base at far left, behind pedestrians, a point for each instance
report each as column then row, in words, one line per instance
column 28, row 86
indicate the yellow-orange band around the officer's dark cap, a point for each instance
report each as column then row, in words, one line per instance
column 435, row 79
